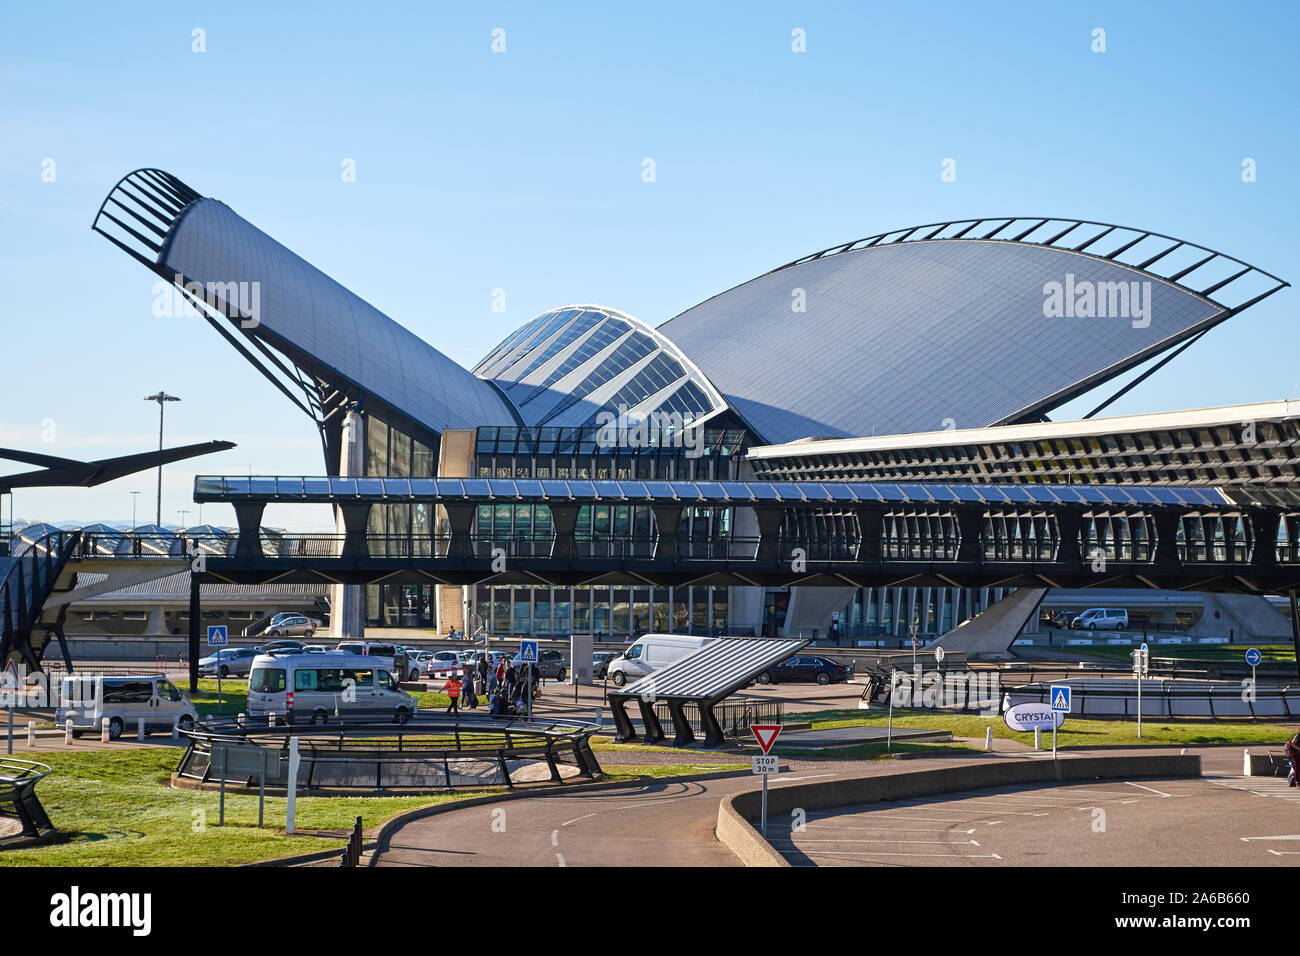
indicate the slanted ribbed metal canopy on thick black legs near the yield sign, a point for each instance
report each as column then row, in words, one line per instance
column 703, row 678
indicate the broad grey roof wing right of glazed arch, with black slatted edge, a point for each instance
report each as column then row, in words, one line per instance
column 947, row 326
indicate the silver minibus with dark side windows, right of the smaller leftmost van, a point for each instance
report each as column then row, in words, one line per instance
column 311, row 689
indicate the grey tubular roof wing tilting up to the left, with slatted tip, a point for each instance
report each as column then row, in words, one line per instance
column 331, row 334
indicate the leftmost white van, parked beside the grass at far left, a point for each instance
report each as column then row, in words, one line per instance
column 88, row 700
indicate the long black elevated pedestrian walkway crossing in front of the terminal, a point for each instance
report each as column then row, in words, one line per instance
column 808, row 534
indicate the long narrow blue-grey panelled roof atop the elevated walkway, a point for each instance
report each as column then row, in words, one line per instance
column 827, row 494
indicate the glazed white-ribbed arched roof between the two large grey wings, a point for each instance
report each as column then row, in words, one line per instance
column 570, row 365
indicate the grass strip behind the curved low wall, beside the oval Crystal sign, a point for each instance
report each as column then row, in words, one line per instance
column 1074, row 733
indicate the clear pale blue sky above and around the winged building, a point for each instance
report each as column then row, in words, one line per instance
column 522, row 171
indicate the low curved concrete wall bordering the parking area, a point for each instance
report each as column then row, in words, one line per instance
column 736, row 812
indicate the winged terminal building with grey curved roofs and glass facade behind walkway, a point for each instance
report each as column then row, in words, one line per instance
column 883, row 360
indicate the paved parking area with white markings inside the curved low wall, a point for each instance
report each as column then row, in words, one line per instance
column 1178, row 823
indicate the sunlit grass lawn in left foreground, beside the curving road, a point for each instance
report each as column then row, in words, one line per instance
column 119, row 811
